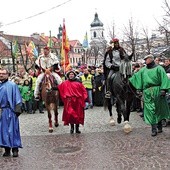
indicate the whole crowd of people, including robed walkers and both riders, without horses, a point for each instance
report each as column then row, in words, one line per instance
column 80, row 89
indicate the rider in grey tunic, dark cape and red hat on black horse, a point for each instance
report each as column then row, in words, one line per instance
column 112, row 62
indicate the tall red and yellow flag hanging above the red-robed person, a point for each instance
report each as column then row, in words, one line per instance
column 65, row 48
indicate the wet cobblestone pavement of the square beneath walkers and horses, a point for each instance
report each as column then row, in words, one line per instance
column 99, row 146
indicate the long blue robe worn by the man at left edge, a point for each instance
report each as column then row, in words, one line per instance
column 9, row 122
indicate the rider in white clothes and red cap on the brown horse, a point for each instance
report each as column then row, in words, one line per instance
column 46, row 63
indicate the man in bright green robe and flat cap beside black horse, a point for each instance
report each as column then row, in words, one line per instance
column 153, row 82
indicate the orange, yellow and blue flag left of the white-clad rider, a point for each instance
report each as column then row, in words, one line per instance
column 31, row 50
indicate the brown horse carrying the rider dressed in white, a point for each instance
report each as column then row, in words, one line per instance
column 50, row 98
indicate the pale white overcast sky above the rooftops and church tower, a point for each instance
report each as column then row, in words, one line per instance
column 78, row 15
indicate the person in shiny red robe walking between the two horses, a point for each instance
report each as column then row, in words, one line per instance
column 73, row 95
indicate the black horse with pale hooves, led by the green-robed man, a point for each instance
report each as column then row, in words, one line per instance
column 122, row 93
